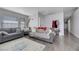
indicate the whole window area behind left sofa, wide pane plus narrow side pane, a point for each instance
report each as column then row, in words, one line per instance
column 11, row 22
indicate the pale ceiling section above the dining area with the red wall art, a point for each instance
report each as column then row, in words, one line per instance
column 49, row 10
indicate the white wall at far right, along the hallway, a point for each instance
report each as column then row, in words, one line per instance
column 75, row 23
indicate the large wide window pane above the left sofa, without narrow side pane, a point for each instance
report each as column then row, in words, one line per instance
column 9, row 22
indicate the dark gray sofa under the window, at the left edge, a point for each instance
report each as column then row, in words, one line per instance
column 12, row 34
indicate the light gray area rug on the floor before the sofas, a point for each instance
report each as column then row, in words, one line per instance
column 22, row 44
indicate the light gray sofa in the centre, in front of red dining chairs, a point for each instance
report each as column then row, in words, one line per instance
column 43, row 36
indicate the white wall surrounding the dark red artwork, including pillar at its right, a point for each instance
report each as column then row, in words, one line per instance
column 58, row 16
